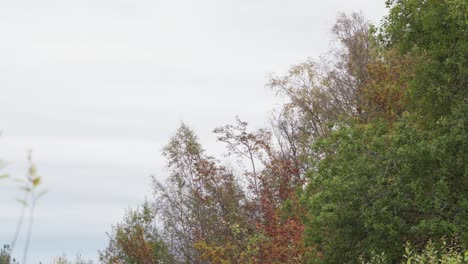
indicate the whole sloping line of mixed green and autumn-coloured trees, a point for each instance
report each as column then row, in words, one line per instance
column 366, row 161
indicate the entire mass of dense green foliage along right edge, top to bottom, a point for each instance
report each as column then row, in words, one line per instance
column 380, row 183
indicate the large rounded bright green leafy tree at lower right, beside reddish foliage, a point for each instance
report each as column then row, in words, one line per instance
column 381, row 185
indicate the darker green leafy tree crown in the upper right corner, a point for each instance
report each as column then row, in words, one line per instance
column 436, row 32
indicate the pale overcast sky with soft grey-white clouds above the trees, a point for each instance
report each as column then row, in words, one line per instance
column 96, row 88
